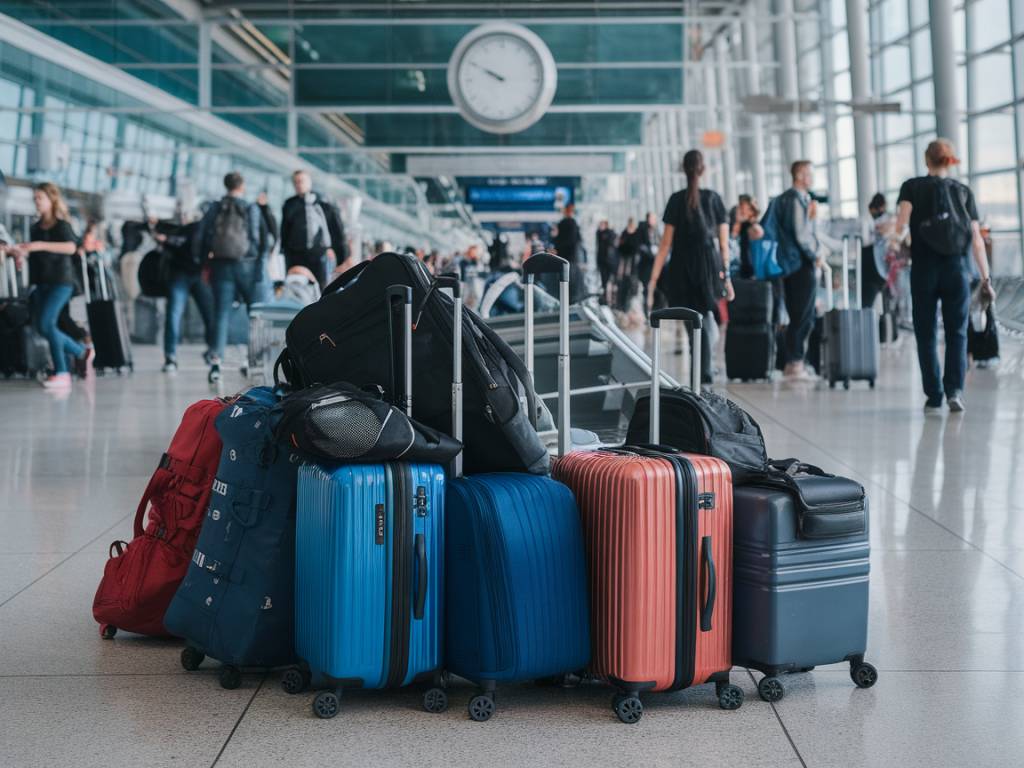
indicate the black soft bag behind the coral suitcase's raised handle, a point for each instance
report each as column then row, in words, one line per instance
column 707, row 424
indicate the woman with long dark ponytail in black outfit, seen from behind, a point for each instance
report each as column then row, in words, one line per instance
column 697, row 230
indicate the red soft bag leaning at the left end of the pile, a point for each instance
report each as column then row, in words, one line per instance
column 142, row 577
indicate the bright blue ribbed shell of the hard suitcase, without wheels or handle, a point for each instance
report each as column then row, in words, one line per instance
column 345, row 587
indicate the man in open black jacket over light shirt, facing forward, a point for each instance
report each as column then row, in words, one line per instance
column 312, row 230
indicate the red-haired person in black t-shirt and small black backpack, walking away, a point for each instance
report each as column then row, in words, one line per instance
column 944, row 222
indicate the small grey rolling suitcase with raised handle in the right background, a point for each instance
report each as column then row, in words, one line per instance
column 850, row 342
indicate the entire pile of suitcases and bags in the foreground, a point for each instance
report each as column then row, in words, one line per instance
column 321, row 529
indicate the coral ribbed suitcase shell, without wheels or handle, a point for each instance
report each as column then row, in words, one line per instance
column 629, row 508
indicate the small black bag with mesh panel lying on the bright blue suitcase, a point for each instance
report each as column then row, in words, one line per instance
column 343, row 423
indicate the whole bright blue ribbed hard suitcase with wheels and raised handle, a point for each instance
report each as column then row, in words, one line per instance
column 369, row 581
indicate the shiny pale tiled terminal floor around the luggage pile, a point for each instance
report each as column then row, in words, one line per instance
column 947, row 633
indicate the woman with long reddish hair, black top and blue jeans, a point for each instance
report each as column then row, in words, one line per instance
column 52, row 272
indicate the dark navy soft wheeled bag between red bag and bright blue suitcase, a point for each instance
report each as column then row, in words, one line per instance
column 237, row 602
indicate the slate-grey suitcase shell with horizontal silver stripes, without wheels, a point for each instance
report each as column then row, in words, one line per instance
column 798, row 603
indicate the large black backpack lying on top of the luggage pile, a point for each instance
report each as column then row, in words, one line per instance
column 347, row 336
